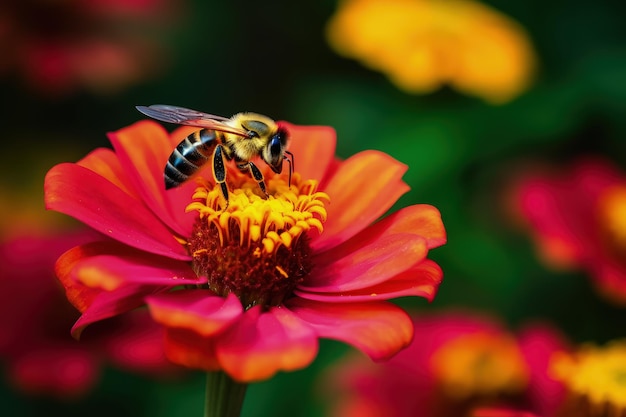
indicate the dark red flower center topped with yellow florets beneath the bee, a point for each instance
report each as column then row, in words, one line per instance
column 257, row 247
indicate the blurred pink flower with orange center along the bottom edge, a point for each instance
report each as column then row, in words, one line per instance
column 461, row 362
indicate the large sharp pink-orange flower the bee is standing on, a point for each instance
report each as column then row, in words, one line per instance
column 250, row 288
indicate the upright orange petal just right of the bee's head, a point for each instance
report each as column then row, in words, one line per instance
column 313, row 148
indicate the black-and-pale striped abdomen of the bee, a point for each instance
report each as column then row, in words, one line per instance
column 189, row 156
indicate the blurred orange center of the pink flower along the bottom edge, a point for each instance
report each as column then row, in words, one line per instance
column 480, row 365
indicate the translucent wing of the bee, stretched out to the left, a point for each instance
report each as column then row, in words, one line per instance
column 183, row 116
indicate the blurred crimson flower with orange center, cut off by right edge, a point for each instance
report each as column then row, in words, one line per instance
column 576, row 216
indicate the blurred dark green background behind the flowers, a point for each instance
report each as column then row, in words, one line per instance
column 273, row 58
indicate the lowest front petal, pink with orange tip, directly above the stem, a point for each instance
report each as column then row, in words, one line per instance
column 261, row 344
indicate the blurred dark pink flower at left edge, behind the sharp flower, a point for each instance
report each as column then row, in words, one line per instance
column 39, row 354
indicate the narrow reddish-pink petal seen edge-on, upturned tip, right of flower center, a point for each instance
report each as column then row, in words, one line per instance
column 421, row 281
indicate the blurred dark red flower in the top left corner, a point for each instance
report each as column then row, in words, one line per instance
column 102, row 46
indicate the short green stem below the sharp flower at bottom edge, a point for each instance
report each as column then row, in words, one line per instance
column 224, row 396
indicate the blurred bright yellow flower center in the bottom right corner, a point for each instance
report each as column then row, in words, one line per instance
column 597, row 374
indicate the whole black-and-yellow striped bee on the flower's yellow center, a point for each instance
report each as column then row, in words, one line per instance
column 240, row 138
